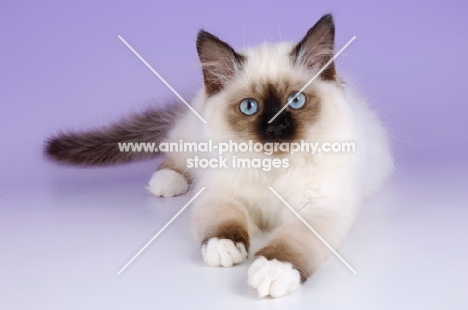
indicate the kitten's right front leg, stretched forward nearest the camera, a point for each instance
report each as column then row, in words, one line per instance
column 292, row 255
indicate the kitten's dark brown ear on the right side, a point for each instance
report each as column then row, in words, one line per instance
column 316, row 48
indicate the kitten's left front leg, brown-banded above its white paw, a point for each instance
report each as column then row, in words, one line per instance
column 223, row 231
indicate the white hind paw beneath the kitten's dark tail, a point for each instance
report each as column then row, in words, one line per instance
column 167, row 183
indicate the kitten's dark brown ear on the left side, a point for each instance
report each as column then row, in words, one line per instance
column 219, row 61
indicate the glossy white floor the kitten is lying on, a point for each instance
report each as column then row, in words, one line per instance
column 62, row 248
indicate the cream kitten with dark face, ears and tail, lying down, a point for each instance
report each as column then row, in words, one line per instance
column 242, row 92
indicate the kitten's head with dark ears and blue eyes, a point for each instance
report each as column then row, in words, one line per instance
column 245, row 91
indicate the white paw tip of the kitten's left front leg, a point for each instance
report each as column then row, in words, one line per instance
column 223, row 252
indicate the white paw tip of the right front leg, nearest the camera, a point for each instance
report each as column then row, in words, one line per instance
column 273, row 278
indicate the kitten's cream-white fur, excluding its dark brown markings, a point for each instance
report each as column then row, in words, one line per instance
column 326, row 189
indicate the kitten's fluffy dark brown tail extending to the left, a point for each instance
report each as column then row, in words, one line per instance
column 101, row 147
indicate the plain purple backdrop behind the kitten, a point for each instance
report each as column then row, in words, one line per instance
column 62, row 66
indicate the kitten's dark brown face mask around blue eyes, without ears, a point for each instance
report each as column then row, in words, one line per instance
column 251, row 102
